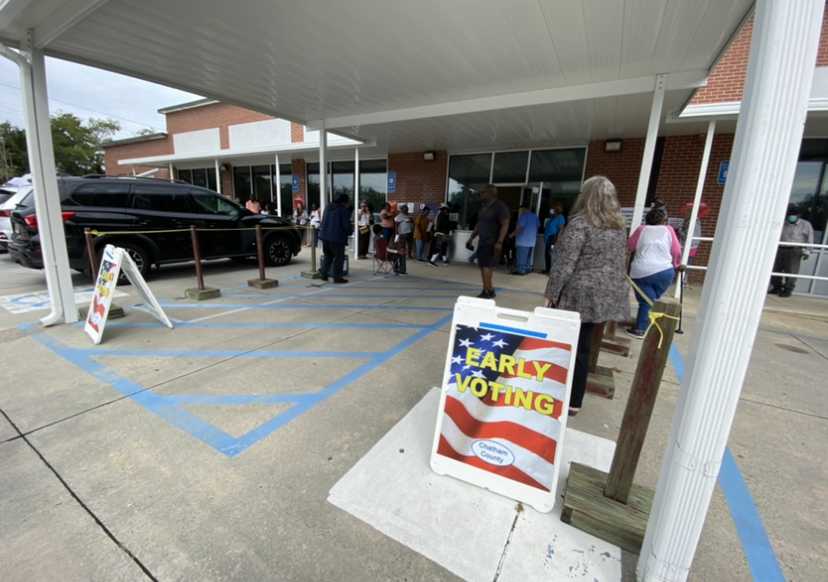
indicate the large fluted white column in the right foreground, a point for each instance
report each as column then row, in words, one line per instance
column 763, row 162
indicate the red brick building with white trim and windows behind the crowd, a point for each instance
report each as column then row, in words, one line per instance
column 247, row 154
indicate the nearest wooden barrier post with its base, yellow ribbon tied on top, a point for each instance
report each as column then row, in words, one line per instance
column 609, row 505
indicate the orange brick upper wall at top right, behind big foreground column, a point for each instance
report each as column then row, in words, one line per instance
column 727, row 79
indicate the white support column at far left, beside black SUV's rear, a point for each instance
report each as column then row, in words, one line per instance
column 47, row 198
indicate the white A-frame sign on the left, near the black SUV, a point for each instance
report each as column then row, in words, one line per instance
column 113, row 260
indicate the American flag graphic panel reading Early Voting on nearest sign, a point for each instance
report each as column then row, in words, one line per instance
column 504, row 400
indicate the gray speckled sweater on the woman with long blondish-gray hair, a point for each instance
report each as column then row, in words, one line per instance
column 588, row 272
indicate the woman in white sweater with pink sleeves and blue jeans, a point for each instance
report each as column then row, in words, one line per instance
column 656, row 257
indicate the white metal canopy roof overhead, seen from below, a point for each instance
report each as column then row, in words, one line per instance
column 343, row 63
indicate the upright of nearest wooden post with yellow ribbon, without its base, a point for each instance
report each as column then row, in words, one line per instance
column 642, row 398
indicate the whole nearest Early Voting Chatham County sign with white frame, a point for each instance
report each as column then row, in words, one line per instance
column 505, row 398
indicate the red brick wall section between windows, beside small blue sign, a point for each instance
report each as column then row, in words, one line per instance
column 419, row 180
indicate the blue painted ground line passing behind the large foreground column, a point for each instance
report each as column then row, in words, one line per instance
column 756, row 545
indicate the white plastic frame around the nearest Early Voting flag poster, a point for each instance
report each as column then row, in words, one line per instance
column 558, row 326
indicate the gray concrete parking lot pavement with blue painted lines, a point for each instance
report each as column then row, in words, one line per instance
column 207, row 452
